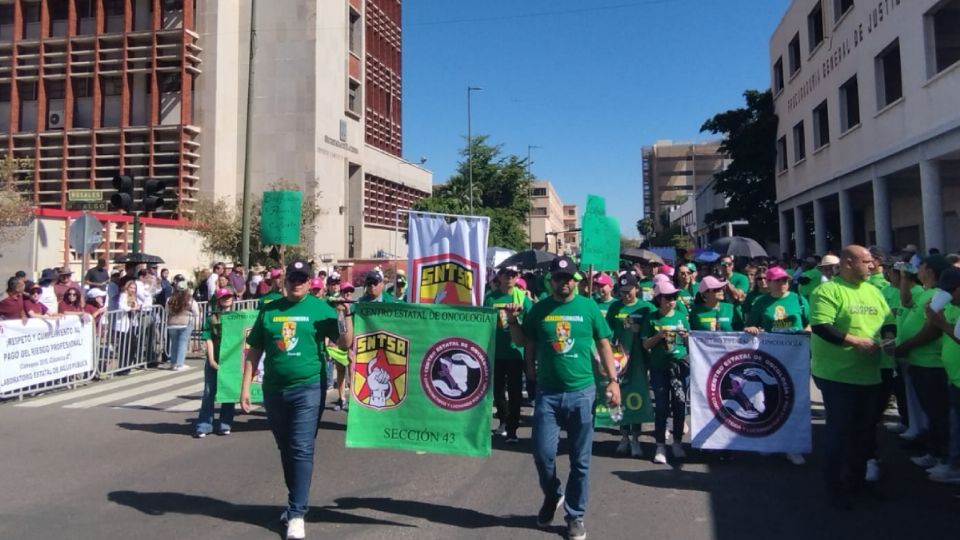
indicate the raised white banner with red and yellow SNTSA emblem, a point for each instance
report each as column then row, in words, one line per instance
column 447, row 261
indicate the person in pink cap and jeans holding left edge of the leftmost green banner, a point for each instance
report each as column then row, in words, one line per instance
column 211, row 335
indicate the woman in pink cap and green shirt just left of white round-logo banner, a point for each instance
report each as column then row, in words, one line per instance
column 664, row 334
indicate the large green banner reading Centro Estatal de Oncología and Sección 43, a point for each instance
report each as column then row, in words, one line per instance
column 423, row 378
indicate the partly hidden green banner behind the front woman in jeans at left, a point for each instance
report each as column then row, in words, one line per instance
column 235, row 328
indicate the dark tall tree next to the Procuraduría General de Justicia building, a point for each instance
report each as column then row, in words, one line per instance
column 749, row 183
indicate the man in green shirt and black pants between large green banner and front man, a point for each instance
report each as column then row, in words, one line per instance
column 508, row 363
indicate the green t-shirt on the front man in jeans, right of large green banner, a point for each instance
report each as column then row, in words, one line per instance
column 565, row 335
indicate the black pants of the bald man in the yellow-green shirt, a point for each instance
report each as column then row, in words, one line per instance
column 851, row 411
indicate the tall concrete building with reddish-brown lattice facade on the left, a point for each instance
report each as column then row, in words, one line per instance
column 158, row 88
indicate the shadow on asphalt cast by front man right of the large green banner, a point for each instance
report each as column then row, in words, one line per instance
column 463, row 518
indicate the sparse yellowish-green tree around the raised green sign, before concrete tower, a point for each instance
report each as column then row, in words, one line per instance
column 218, row 223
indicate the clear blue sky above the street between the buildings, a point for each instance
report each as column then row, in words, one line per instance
column 591, row 81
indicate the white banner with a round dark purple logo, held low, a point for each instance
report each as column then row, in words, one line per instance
column 750, row 393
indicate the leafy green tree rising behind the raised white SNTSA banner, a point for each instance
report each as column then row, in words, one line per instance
column 501, row 191
